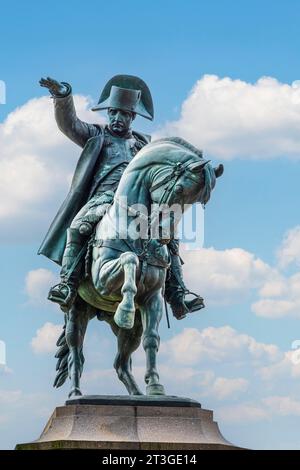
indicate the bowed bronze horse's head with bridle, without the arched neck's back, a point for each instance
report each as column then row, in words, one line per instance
column 183, row 179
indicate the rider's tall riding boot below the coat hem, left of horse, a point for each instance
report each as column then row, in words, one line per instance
column 65, row 292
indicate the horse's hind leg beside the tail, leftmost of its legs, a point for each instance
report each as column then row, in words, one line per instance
column 77, row 320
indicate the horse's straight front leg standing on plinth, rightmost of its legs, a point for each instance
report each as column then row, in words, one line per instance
column 151, row 313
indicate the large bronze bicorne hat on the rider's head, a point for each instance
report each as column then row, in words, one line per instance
column 128, row 93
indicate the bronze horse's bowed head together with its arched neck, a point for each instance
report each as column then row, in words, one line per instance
column 167, row 176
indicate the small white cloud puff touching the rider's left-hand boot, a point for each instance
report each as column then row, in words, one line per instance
column 38, row 283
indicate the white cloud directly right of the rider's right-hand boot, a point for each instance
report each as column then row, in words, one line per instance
column 224, row 276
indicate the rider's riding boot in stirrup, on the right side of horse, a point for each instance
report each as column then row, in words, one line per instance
column 175, row 289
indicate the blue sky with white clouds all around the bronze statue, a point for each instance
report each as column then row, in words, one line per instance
column 252, row 127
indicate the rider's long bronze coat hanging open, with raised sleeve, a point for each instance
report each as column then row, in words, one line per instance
column 90, row 137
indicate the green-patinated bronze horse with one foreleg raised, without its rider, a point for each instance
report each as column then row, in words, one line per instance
column 128, row 272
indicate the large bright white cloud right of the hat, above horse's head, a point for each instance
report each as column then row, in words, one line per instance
column 232, row 118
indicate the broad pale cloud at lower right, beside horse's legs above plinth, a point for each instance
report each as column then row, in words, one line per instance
column 209, row 362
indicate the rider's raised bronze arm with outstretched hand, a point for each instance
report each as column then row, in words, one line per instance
column 65, row 114
